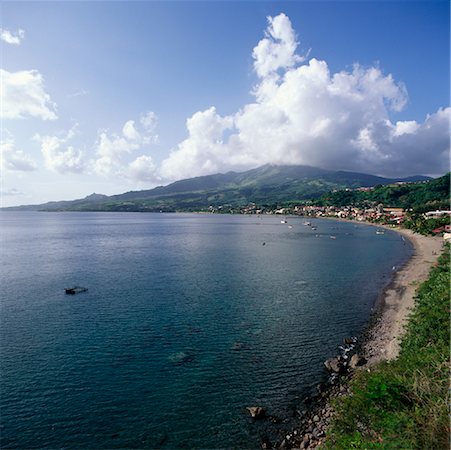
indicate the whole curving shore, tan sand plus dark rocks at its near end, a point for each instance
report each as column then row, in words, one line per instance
column 380, row 341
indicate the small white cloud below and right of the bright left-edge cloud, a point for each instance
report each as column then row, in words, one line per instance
column 58, row 155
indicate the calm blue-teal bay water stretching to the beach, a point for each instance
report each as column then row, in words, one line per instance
column 188, row 320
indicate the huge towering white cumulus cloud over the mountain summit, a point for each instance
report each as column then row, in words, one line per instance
column 304, row 114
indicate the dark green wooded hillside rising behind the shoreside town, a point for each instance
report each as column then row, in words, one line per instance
column 420, row 197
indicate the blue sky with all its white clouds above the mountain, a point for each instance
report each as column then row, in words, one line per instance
column 109, row 97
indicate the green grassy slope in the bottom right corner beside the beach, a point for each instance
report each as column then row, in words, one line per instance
column 403, row 404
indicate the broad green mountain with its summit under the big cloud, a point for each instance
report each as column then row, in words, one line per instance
column 266, row 185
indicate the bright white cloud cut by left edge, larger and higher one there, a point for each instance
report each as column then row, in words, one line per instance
column 23, row 95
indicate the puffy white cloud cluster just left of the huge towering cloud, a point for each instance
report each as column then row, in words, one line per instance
column 113, row 148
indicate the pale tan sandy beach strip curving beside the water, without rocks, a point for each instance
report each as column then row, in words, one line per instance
column 398, row 298
